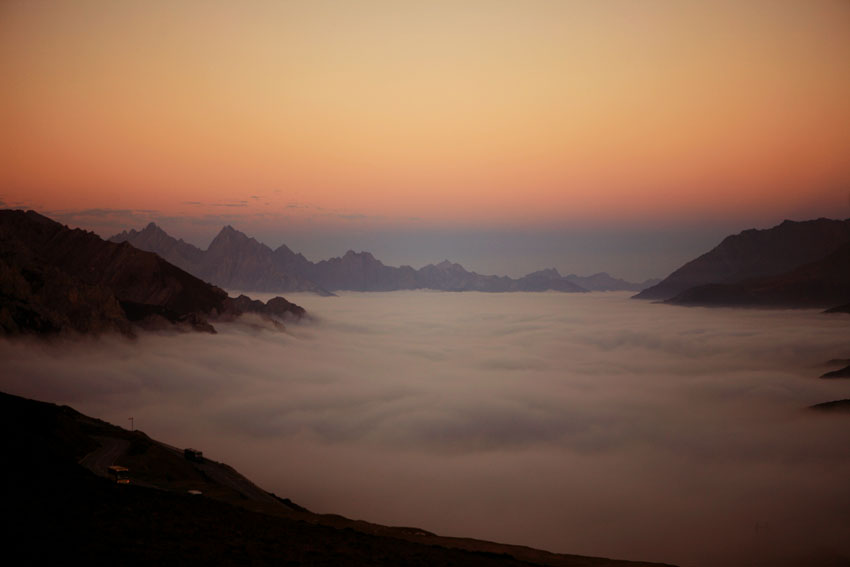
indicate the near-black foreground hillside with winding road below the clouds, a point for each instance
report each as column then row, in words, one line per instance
column 56, row 510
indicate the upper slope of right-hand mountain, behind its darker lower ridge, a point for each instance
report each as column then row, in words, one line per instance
column 756, row 254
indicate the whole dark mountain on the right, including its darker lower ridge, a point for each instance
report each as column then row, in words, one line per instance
column 794, row 264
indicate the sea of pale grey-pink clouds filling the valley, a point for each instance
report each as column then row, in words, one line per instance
column 578, row 423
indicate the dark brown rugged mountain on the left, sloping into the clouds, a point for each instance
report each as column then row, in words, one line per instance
column 54, row 279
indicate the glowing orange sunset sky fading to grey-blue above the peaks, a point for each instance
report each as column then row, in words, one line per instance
column 509, row 136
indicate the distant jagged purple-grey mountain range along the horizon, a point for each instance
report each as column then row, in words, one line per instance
column 233, row 260
